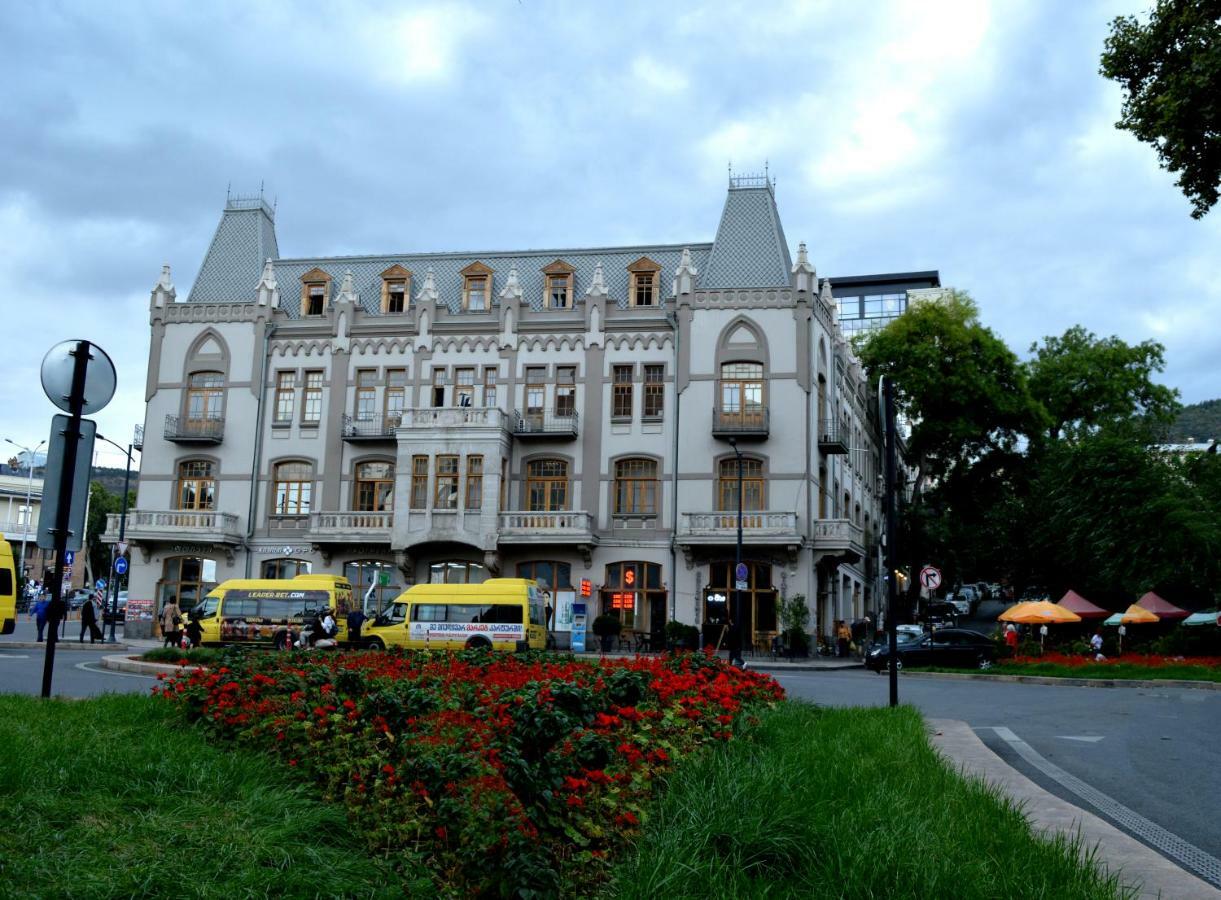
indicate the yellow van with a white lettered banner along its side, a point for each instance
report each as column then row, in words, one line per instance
column 501, row 614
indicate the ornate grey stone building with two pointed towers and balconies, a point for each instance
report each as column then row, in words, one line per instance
column 577, row 416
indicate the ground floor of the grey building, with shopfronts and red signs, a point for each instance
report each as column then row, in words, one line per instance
column 639, row 583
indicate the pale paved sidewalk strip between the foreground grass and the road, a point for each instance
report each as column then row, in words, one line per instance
column 1137, row 865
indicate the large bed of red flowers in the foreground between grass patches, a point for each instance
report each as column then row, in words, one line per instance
column 495, row 772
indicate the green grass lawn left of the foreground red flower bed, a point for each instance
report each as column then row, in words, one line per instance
column 114, row 798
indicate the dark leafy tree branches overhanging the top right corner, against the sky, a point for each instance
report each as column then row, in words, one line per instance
column 1170, row 70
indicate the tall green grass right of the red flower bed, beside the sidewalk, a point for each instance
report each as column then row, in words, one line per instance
column 843, row 804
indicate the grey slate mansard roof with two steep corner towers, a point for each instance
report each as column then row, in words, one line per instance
column 749, row 252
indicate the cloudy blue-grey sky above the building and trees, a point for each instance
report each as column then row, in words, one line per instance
column 973, row 137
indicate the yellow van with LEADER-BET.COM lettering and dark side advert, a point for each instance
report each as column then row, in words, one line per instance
column 267, row 612
